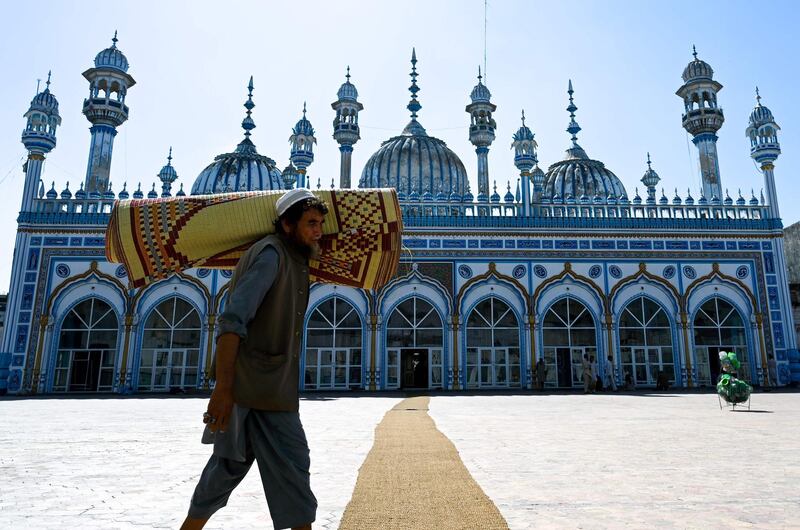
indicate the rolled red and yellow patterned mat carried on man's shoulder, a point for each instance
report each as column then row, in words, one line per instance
column 153, row 238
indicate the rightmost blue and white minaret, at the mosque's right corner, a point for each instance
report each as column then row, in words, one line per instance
column 764, row 149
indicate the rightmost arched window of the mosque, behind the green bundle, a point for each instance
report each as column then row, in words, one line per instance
column 718, row 326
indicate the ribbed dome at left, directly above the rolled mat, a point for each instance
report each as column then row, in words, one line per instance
column 242, row 170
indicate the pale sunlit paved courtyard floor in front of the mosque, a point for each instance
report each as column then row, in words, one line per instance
column 546, row 461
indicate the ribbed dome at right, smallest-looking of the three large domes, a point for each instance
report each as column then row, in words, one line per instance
column 578, row 175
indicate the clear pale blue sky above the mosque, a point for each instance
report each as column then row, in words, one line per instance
column 192, row 61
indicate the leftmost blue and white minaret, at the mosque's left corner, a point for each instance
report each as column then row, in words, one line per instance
column 39, row 138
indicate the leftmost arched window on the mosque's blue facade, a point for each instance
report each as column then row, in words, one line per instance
column 87, row 348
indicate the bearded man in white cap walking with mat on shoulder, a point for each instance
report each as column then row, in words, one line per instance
column 253, row 411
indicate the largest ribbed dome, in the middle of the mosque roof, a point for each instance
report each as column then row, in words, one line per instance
column 417, row 162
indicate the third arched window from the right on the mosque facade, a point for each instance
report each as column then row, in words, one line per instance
column 568, row 333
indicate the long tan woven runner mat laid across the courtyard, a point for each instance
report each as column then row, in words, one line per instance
column 413, row 478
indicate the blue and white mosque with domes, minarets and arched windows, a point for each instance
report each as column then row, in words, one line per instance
column 563, row 265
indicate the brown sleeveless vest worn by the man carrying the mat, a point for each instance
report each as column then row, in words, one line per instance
column 268, row 361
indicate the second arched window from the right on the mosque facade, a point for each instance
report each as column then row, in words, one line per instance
column 645, row 340
